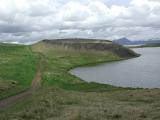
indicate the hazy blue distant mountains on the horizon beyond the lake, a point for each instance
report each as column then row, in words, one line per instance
column 125, row 41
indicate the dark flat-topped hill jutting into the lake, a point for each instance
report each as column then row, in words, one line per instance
column 93, row 44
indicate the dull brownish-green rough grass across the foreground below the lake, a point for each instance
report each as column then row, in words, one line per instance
column 54, row 103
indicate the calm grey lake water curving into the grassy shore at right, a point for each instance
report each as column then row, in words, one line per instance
column 143, row 71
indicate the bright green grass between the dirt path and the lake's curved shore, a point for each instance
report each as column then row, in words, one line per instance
column 60, row 60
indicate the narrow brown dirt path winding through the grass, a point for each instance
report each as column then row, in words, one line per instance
column 35, row 84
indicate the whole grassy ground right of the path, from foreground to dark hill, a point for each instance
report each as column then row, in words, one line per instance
column 65, row 97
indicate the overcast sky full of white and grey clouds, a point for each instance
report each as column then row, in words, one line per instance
column 32, row 20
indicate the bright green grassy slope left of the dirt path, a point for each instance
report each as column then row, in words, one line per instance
column 17, row 68
